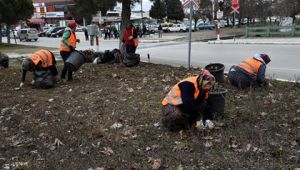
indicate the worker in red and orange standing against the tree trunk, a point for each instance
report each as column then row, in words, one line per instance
column 130, row 39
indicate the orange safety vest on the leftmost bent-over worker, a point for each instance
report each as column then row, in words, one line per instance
column 43, row 56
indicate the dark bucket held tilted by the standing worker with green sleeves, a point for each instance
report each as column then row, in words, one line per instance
column 75, row 60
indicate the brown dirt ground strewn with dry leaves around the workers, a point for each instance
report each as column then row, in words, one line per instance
column 108, row 118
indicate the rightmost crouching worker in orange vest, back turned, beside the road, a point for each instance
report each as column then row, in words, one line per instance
column 250, row 72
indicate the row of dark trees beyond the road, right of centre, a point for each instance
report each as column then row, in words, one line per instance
column 249, row 10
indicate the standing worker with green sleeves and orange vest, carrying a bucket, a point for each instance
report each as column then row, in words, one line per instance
column 67, row 46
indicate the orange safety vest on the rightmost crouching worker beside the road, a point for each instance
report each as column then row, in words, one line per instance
column 251, row 66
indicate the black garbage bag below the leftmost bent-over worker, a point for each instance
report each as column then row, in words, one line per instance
column 44, row 79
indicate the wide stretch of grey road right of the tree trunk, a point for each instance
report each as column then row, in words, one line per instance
column 285, row 62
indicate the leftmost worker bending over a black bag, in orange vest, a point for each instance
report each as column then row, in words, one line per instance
column 42, row 64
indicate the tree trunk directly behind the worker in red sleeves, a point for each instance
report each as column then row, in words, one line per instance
column 125, row 17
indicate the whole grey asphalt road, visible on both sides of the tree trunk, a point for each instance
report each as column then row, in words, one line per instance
column 285, row 62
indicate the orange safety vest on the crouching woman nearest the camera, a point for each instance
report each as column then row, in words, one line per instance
column 174, row 96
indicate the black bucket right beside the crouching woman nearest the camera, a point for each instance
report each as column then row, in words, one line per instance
column 217, row 101
